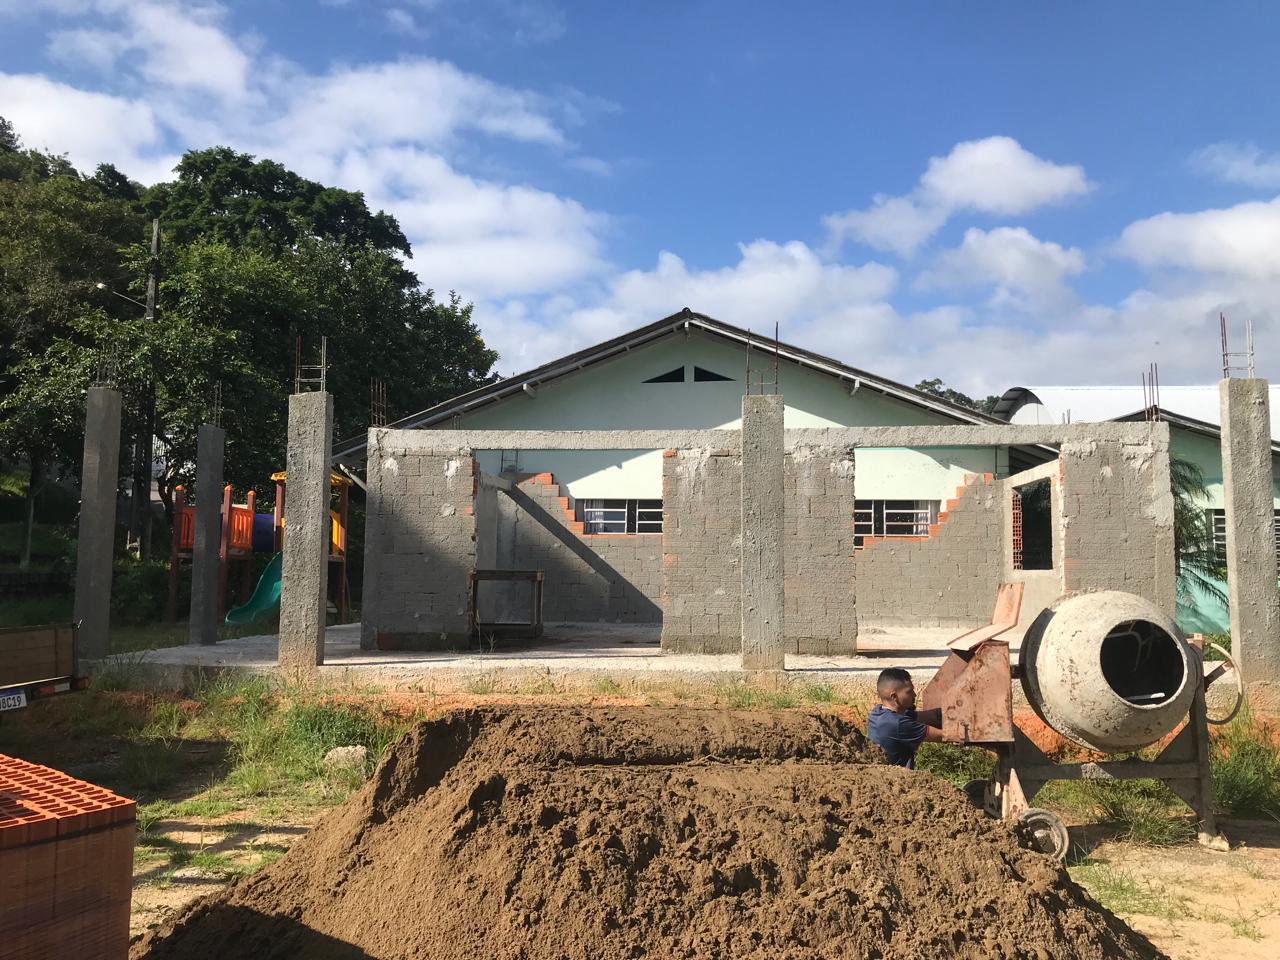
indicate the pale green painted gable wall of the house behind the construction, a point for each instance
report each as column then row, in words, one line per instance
column 614, row 395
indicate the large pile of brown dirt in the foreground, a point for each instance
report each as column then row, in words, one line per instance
column 610, row 833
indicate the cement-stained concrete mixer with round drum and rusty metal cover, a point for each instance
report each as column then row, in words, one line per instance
column 1108, row 670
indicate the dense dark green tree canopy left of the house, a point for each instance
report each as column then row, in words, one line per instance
column 255, row 260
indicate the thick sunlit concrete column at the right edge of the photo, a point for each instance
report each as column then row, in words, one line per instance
column 1251, row 560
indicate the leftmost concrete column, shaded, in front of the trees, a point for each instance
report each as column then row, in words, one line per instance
column 97, row 541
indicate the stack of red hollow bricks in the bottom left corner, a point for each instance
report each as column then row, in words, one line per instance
column 66, row 866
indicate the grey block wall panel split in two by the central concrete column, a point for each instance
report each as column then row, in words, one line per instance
column 702, row 550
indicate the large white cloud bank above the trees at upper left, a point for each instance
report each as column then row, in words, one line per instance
column 385, row 129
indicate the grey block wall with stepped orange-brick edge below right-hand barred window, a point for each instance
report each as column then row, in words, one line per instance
column 948, row 579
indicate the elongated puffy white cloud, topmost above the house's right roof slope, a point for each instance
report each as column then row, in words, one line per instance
column 995, row 176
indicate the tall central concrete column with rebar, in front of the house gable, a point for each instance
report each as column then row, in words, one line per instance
column 762, row 533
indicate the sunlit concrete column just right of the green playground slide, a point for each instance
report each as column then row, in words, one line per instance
column 307, row 534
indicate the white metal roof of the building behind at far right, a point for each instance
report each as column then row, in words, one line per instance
column 1078, row 405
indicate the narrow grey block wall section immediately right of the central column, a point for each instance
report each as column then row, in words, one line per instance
column 819, row 537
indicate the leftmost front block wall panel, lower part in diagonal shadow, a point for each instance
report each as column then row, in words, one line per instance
column 420, row 546
